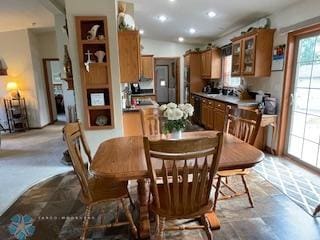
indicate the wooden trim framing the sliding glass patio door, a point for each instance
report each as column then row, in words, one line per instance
column 288, row 83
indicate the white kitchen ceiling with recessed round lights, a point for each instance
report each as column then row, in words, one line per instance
column 184, row 14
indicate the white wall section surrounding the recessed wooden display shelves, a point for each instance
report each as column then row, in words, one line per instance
column 96, row 8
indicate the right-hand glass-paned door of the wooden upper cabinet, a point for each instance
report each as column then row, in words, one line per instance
column 248, row 55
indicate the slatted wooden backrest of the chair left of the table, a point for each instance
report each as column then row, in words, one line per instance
column 74, row 135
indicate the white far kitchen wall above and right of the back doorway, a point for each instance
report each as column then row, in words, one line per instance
column 167, row 49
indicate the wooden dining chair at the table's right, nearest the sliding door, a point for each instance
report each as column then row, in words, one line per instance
column 243, row 124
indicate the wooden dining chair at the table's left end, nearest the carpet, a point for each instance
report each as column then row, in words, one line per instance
column 95, row 190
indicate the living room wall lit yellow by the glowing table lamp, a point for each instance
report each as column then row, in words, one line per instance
column 15, row 49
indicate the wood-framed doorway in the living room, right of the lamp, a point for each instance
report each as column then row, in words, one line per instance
column 52, row 74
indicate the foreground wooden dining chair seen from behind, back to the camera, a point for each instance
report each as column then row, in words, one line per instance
column 181, row 173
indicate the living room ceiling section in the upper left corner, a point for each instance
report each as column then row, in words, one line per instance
column 20, row 14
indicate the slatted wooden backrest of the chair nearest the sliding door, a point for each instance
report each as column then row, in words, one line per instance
column 243, row 124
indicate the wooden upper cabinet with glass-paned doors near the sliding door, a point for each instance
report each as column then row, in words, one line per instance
column 252, row 53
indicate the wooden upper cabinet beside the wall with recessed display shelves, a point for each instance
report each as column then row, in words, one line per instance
column 129, row 56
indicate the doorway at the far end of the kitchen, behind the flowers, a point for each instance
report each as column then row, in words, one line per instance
column 167, row 80
